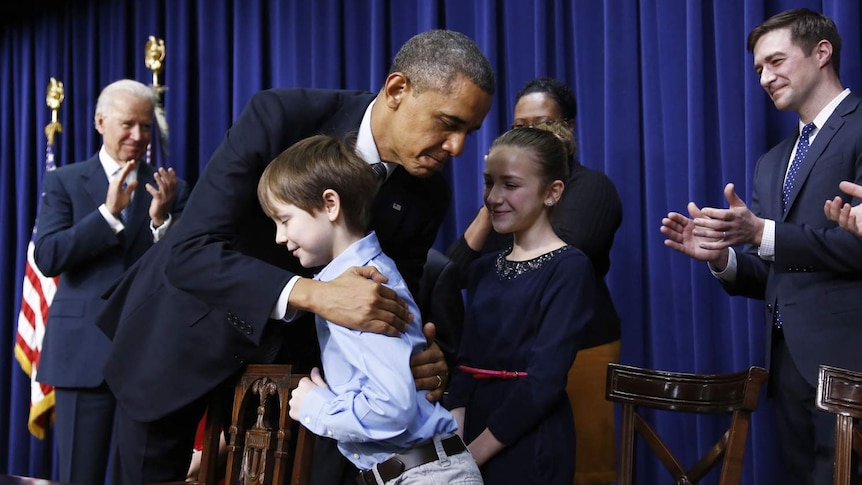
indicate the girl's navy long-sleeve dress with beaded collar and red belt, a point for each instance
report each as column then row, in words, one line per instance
column 524, row 316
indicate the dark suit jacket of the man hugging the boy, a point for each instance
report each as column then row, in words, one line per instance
column 219, row 275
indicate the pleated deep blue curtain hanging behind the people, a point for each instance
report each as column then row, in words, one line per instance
column 669, row 107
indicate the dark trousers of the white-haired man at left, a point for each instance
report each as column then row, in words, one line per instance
column 83, row 430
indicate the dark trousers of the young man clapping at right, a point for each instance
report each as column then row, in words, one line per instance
column 806, row 435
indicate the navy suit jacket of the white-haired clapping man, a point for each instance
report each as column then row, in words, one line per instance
column 74, row 241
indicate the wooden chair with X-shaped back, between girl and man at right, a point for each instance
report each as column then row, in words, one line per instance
column 736, row 394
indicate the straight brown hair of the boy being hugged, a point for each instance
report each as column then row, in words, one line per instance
column 300, row 174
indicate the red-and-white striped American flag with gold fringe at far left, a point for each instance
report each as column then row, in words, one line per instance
column 36, row 297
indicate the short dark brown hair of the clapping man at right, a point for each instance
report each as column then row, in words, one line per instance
column 807, row 29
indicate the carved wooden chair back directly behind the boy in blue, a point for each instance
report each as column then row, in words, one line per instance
column 261, row 445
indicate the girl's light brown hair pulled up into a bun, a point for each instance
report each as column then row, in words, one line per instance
column 550, row 143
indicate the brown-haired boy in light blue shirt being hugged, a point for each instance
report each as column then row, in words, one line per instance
column 319, row 194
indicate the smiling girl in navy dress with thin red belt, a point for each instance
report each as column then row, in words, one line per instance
column 527, row 306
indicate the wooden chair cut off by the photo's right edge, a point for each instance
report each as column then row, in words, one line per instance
column 839, row 391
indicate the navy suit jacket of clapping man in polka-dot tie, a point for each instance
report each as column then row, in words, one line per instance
column 816, row 278
